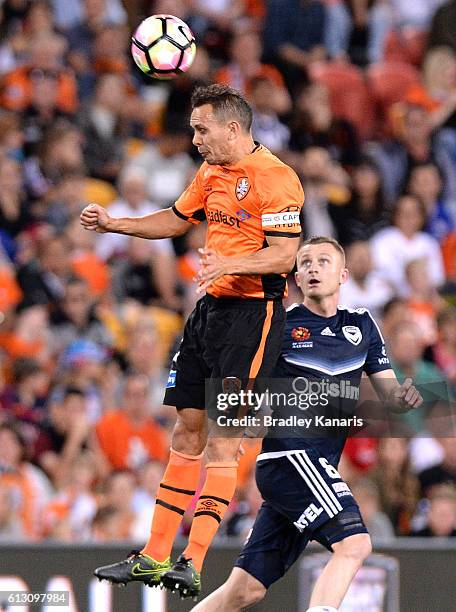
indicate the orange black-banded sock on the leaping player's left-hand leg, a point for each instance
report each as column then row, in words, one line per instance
column 174, row 495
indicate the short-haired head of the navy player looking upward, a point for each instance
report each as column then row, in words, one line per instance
column 320, row 268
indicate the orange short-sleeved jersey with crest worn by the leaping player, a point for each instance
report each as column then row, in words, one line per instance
column 243, row 204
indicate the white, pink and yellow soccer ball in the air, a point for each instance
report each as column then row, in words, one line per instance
column 163, row 46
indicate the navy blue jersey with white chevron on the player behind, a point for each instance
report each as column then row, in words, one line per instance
column 334, row 352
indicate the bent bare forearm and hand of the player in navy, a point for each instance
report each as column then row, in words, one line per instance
column 399, row 398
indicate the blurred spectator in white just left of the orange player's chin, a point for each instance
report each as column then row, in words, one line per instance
column 167, row 164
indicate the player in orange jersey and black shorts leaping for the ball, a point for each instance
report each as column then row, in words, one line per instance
column 251, row 201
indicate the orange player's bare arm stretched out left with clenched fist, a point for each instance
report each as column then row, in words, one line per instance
column 161, row 224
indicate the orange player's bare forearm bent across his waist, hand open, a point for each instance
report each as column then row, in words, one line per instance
column 277, row 258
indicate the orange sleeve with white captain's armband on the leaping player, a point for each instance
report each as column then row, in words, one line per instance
column 282, row 198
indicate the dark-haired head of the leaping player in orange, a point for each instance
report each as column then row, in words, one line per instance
column 221, row 119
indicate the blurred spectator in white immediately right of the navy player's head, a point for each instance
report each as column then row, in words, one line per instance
column 364, row 288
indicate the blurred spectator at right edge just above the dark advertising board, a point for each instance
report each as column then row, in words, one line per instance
column 441, row 517
